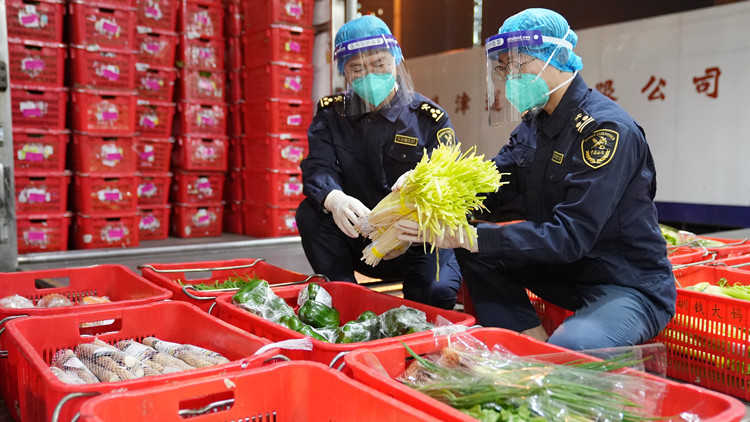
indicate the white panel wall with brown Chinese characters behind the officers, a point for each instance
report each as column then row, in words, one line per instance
column 701, row 145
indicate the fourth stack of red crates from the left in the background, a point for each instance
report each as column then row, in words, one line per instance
column 199, row 158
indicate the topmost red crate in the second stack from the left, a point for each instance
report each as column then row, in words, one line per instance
column 105, row 25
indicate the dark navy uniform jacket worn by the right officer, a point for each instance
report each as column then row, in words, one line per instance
column 588, row 181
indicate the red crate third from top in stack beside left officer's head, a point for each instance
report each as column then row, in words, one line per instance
column 279, row 80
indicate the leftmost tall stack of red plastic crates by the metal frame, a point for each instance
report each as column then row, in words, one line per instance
column 38, row 102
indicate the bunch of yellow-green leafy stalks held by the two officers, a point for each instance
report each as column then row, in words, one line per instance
column 438, row 194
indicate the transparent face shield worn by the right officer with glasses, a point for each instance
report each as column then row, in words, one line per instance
column 515, row 83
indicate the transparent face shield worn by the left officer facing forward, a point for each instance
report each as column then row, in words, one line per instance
column 375, row 74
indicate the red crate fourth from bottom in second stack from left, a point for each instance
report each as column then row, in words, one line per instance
column 104, row 112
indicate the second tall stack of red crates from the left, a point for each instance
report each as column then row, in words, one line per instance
column 103, row 114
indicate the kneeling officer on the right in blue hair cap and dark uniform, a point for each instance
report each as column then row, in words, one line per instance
column 591, row 242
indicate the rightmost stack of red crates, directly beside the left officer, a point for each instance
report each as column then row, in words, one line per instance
column 276, row 79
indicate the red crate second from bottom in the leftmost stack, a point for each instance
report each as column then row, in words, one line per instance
column 42, row 192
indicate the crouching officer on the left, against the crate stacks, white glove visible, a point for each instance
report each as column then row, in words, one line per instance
column 360, row 142
